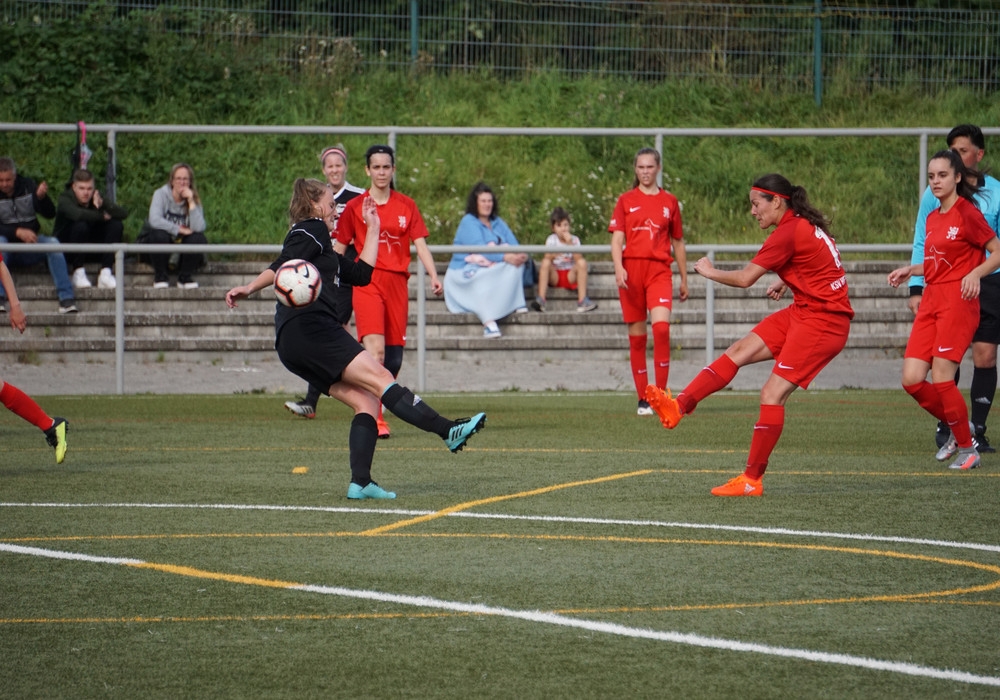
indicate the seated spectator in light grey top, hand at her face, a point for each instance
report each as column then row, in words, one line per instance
column 175, row 216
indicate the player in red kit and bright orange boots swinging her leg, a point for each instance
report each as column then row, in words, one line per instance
column 801, row 338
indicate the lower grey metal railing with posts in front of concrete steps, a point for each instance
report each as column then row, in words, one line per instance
column 122, row 249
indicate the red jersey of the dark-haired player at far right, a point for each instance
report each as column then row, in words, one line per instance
column 955, row 242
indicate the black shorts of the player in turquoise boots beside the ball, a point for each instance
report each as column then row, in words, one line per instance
column 317, row 349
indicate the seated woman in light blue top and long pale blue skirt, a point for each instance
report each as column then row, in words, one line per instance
column 489, row 285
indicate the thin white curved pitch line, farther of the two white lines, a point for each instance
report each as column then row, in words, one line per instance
column 812, row 534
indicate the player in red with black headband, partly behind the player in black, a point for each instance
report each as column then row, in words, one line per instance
column 381, row 308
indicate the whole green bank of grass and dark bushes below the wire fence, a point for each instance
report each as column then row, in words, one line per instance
column 102, row 67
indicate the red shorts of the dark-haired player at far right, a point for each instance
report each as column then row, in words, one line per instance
column 945, row 324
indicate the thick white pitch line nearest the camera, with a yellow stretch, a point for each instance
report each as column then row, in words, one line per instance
column 683, row 638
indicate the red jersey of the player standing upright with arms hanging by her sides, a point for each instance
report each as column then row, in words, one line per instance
column 650, row 222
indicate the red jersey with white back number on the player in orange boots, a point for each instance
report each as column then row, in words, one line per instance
column 807, row 260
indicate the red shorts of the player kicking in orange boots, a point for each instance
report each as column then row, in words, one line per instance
column 802, row 341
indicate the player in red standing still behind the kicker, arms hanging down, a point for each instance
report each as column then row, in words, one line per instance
column 645, row 229
